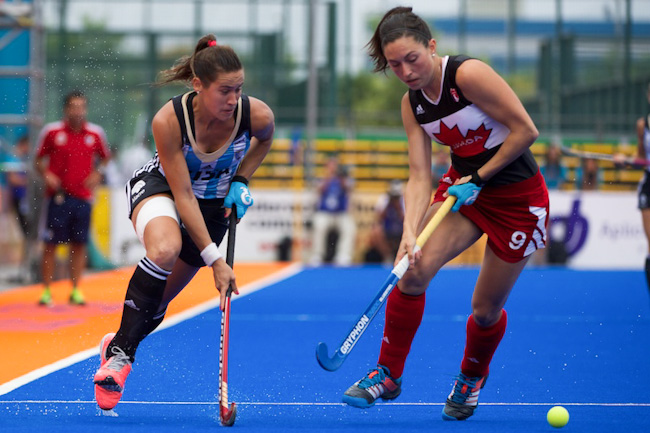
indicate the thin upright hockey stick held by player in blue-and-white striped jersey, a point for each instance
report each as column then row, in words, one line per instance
column 227, row 414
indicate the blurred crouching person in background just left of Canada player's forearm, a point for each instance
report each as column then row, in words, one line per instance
column 386, row 231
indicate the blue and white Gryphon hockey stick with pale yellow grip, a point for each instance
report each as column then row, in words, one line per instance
column 340, row 354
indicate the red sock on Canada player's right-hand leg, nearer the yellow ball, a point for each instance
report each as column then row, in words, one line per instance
column 481, row 345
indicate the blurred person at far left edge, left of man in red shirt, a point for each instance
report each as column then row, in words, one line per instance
column 16, row 170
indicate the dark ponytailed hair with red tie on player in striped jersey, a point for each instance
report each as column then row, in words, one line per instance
column 208, row 61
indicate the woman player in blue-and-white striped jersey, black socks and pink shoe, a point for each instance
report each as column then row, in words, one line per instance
column 209, row 142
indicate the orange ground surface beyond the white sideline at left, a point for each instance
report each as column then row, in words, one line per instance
column 37, row 336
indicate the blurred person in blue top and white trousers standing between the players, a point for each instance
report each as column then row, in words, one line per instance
column 333, row 214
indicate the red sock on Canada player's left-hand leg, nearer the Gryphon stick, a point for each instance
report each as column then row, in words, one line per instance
column 403, row 317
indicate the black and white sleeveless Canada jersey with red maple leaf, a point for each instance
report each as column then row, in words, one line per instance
column 473, row 136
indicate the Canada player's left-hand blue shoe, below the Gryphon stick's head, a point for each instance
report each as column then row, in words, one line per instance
column 376, row 384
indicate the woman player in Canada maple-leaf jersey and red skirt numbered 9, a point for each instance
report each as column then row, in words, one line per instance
column 464, row 104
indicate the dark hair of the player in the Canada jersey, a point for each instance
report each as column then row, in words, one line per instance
column 396, row 23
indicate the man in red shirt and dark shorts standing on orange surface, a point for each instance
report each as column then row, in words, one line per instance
column 76, row 153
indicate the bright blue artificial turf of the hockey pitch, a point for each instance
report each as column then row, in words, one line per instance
column 578, row 338
